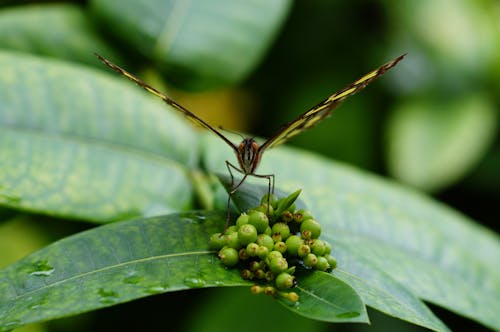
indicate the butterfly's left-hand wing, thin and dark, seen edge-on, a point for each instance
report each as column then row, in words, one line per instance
column 188, row 114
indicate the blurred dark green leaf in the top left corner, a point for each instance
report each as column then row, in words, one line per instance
column 56, row 30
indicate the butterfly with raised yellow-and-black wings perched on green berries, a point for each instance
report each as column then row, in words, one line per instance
column 249, row 152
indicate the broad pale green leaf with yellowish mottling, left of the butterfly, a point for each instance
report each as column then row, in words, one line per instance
column 76, row 143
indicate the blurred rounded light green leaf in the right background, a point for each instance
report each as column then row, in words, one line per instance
column 433, row 144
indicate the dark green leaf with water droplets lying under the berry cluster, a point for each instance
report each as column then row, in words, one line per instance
column 123, row 261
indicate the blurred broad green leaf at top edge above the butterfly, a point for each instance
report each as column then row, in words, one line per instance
column 199, row 44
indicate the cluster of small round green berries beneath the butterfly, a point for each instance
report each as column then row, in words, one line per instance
column 270, row 240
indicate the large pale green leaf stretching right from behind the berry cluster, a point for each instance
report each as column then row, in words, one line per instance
column 393, row 245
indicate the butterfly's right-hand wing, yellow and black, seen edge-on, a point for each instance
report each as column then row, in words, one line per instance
column 322, row 110
